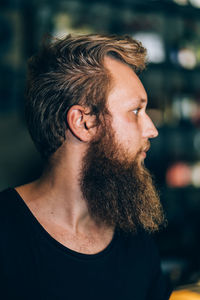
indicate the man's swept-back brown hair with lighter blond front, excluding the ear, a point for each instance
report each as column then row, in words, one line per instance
column 68, row 72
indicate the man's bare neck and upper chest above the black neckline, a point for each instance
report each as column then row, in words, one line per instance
column 56, row 202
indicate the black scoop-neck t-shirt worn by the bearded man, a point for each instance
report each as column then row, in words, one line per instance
column 33, row 265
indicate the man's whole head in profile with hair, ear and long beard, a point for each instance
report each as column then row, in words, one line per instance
column 89, row 82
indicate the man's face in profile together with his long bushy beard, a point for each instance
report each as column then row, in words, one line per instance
column 118, row 189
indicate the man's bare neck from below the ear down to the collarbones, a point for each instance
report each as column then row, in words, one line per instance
column 57, row 194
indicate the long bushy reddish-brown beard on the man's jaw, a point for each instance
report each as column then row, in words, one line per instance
column 119, row 193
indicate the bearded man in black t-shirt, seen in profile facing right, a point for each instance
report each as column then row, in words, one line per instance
column 81, row 231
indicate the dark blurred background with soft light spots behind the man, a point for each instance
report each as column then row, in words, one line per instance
column 170, row 30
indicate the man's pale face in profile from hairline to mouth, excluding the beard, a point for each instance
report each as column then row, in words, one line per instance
column 127, row 102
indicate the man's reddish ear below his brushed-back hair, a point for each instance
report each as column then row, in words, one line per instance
column 81, row 123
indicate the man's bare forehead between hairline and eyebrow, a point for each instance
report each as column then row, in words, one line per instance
column 126, row 89
